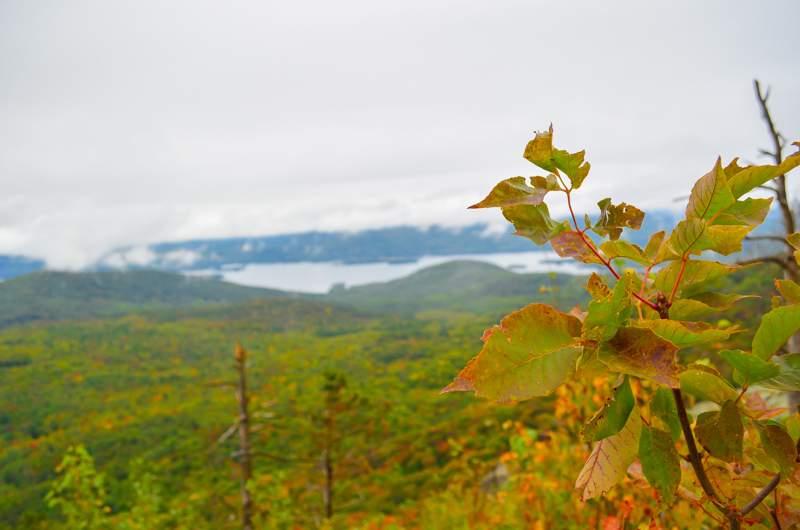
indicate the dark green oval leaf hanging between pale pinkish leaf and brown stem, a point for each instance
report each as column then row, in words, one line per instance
column 660, row 463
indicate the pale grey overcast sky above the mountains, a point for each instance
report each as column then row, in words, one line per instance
column 136, row 122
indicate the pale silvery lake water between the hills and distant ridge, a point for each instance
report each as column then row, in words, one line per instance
column 313, row 277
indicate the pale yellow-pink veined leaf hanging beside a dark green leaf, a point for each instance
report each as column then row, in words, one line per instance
column 609, row 460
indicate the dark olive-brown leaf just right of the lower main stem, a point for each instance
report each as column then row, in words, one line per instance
column 721, row 433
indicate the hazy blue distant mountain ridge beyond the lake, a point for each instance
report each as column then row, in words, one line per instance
column 389, row 245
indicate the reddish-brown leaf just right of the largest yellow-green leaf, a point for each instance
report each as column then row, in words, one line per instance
column 642, row 353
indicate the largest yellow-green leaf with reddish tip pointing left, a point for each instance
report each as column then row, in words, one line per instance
column 531, row 353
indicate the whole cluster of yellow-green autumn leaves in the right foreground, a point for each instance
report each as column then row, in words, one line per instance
column 634, row 328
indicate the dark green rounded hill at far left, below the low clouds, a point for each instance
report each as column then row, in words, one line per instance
column 47, row 295
